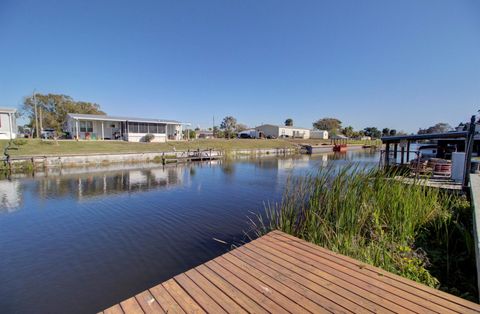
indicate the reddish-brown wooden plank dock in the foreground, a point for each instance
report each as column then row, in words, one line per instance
column 278, row 273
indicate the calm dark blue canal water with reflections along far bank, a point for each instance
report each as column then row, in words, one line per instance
column 80, row 242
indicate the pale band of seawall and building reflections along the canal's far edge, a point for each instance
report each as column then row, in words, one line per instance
column 88, row 182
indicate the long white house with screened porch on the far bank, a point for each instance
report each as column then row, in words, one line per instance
column 105, row 127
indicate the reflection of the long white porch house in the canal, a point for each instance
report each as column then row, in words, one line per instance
column 90, row 185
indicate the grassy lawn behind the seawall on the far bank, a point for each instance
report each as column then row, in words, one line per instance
column 34, row 147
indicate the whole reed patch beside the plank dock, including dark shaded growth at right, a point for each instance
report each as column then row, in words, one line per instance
column 420, row 233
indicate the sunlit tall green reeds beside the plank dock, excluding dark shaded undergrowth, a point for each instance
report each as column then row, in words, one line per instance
column 363, row 213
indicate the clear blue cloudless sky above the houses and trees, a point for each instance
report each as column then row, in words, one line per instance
column 400, row 64
